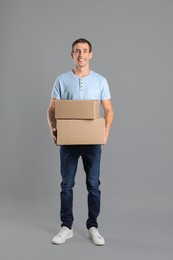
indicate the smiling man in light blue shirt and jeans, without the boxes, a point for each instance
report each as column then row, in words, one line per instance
column 80, row 83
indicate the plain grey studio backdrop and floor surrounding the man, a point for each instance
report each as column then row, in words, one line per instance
column 132, row 42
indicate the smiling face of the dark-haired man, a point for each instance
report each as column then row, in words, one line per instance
column 81, row 54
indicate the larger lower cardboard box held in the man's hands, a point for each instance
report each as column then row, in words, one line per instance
column 73, row 132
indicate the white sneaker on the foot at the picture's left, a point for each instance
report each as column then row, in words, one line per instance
column 63, row 234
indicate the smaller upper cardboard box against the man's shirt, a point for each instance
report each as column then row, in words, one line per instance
column 77, row 109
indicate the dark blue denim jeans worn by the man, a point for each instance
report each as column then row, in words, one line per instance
column 69, row 155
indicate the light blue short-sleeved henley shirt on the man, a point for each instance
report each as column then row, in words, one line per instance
column 91, row 87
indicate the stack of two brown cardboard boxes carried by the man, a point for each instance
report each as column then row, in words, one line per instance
column 79, row 122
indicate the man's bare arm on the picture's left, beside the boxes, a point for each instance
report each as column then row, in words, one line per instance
column 51, row 119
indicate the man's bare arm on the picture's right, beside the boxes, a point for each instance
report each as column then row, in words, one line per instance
column 109, row 115
